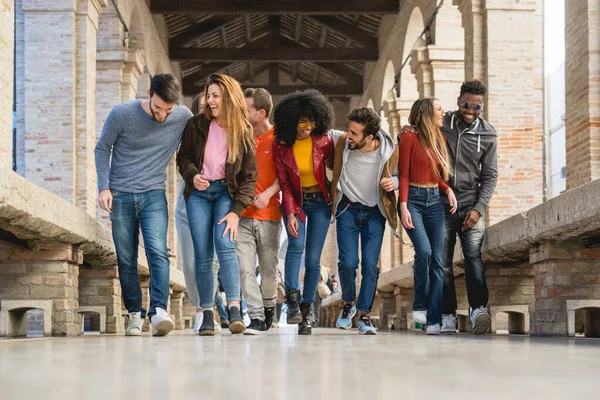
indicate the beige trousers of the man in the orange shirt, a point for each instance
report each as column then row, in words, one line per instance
column 260, row 239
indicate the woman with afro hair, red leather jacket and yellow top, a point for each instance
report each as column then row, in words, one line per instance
column 302, row 150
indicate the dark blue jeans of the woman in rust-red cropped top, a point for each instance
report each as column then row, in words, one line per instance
column 427, row 212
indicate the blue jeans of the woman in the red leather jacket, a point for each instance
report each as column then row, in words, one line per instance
column 313, row 232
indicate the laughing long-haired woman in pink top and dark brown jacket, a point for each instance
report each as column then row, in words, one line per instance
column 217, row 161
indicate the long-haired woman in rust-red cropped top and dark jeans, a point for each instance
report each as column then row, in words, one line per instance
column 423, row 169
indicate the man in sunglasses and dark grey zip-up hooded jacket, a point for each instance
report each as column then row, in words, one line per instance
column 472, row 144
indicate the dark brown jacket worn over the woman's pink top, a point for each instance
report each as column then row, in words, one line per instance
column 240, row 176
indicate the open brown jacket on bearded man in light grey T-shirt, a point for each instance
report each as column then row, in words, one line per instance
column 388, row 199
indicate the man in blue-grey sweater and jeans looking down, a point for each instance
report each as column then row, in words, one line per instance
column 138, row 140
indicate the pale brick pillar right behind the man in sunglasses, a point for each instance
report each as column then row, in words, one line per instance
column 503, row 48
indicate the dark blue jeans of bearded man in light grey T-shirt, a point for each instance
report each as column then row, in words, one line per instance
column 354, row 219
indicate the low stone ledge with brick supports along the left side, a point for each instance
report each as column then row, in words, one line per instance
column 56, row 258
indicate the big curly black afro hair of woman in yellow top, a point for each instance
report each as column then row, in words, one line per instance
column 310, row 104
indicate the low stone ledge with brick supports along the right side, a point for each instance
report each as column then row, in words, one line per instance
column 542, row 267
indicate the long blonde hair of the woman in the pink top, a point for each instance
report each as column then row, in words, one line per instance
column 238, row 130
